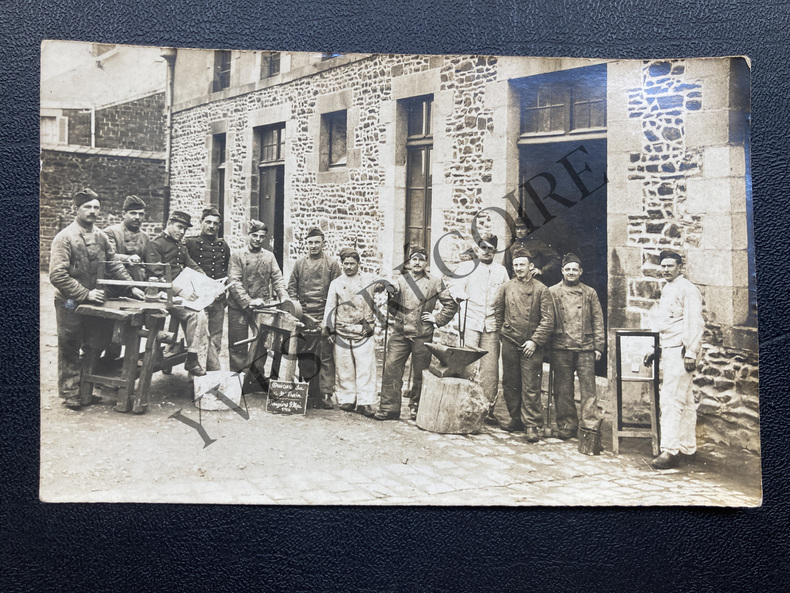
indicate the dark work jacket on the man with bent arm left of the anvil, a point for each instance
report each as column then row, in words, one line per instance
column 415, row 296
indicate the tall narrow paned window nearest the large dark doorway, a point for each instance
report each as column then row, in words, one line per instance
column 419, row 169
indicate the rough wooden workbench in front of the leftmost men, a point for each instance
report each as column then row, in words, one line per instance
column 132, row 321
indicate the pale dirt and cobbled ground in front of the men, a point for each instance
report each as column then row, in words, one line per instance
column 97, row 454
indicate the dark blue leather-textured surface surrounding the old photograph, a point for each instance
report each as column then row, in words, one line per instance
column 72, row 547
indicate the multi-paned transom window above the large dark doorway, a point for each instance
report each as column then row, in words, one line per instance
column 572, row 101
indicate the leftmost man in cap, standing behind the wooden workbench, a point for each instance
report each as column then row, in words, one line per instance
column 77, row 252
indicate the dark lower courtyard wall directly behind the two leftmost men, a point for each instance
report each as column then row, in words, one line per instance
column 63, row 172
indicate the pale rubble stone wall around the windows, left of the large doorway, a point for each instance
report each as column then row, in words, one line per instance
column 347, row 205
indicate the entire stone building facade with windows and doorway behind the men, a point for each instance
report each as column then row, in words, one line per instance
column 614, row 160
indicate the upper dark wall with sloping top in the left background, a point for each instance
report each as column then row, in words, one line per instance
column 134, row 125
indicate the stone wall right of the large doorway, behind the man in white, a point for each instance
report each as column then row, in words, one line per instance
column 661, row 165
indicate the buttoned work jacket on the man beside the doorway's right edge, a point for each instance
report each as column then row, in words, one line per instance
column 591, row 331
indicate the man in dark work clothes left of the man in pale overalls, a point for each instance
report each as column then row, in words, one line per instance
column 309, row 284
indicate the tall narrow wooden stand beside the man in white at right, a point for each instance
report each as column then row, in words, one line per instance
column 632, row 346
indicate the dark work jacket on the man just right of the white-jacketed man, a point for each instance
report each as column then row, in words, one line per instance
column 524, row 311
